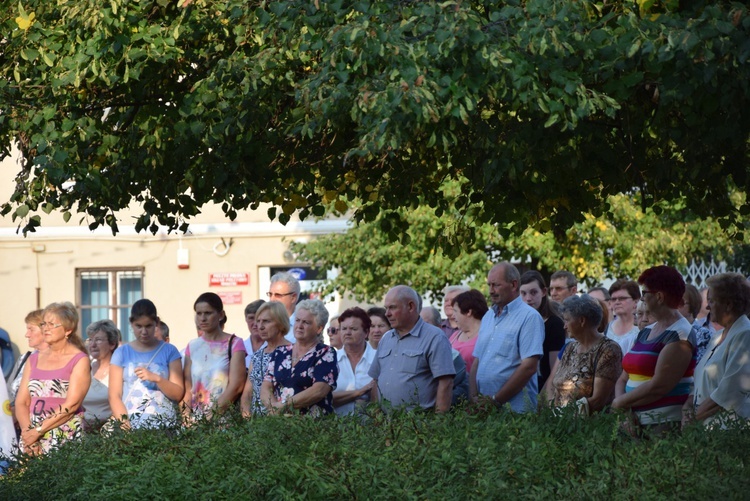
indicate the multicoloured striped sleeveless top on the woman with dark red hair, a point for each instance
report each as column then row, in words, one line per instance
column 640, row 364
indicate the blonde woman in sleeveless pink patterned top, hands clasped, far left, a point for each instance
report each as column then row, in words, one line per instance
column 54, row 383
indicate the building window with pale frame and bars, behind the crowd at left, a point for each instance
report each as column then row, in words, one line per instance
column 109, row 294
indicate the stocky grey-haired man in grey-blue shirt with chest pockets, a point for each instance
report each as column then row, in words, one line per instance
column 414, row 364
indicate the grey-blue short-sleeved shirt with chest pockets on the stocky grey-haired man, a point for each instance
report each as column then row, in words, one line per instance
column 407, row 368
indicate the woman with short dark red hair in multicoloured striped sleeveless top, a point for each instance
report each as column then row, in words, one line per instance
column 657, row 372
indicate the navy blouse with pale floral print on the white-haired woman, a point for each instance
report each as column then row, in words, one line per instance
column 318, row 365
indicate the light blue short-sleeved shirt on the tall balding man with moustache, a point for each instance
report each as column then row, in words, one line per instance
column 506, row 337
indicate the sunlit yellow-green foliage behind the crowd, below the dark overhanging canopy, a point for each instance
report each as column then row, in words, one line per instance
column 622, row 242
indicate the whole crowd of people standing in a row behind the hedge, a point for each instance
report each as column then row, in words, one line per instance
column 656, row 350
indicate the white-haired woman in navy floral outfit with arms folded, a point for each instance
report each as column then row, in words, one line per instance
column 302, row 376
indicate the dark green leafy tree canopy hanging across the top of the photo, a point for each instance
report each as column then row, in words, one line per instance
column 546, row 107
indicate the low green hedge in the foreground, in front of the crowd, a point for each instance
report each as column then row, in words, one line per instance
column 401, row 456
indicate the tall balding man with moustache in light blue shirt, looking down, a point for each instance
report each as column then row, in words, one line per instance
column 509, row 345
